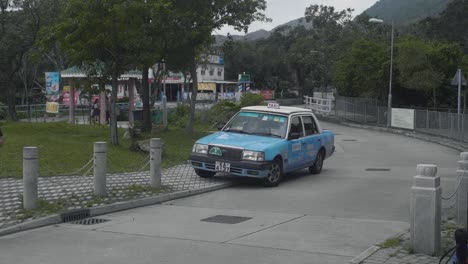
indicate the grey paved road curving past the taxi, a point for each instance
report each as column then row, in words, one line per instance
column 326, row 218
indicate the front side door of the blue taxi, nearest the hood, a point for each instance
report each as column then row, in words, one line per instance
column 296, row 144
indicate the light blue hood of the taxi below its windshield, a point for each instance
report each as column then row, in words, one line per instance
column 248, row 142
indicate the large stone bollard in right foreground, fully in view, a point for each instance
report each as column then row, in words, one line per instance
column 426, row 210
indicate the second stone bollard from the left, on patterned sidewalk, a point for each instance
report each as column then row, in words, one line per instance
column 100, row 168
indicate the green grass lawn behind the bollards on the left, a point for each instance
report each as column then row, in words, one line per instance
column 64, row 148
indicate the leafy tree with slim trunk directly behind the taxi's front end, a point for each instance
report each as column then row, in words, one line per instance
column 193, row 23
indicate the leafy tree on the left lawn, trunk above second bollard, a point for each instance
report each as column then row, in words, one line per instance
column 106, row 32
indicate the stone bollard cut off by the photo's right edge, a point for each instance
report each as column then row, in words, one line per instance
column 462, row 193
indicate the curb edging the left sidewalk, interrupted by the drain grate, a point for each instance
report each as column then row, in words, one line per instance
column 111, row 208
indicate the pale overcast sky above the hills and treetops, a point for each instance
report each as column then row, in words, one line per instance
column 282, row 11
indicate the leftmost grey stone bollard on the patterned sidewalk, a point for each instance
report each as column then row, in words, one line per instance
column 30, row 174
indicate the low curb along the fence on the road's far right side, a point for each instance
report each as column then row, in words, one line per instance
column 429, row 138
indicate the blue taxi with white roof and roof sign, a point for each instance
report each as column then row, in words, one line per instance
column 264, row 142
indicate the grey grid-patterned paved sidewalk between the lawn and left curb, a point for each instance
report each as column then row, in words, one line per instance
column 74, row 192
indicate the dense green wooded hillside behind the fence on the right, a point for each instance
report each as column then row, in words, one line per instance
column 352, row 56
